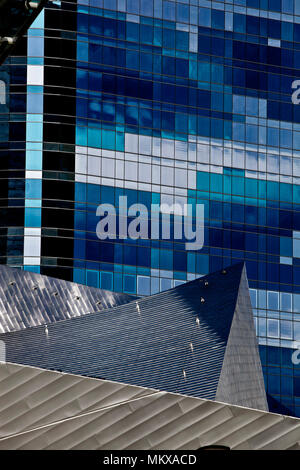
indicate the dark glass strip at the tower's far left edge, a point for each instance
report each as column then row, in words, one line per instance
column 12, row 155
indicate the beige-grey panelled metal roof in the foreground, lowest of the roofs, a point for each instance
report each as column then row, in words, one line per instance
column 41, row 409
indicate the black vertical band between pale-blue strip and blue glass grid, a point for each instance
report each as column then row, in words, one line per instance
column 59, row 140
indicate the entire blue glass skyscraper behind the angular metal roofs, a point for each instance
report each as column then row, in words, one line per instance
column 186, row 102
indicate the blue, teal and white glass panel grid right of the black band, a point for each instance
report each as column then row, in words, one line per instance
column 195, row 106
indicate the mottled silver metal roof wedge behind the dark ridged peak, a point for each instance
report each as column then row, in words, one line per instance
column 29, row 299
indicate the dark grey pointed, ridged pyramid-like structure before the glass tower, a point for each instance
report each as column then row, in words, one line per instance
column 197, row 339
